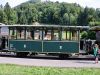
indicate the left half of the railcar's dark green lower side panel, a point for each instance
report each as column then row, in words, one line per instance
column 25, row 45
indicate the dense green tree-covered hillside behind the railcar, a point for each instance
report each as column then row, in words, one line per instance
column 50, row 13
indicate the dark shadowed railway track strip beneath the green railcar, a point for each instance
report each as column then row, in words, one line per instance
column 43, row 56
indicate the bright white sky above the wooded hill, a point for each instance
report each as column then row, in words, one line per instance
column 83, row 3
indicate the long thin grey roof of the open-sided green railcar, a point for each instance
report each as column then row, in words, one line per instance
column 55, row 26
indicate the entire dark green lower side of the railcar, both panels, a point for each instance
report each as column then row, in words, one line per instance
column 47, row 46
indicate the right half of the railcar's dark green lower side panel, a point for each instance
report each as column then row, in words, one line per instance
column 61, row 46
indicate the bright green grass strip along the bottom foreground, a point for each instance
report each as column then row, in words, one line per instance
column 6, row 69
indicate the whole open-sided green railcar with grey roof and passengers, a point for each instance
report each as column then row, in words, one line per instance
column 48, row 39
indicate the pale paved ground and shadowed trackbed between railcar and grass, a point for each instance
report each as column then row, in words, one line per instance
column 80, row 61
